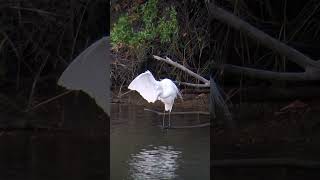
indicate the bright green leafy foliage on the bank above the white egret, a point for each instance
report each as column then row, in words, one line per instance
column 143, row 27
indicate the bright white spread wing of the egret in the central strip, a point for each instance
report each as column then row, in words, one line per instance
column 146, row 85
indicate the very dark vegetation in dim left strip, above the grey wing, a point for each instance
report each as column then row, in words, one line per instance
column 38, row 40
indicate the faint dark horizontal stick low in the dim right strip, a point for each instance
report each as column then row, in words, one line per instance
column 265, row 163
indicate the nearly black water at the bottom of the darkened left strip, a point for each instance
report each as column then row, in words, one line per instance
column 72, row 144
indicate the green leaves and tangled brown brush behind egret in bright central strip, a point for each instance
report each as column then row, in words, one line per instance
column 160, row 28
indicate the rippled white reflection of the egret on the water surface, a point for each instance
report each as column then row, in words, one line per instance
column 156, row 163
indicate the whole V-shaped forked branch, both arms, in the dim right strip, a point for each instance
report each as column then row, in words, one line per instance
column 311, row 67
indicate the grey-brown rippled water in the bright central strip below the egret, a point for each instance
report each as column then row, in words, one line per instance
column 140, row 149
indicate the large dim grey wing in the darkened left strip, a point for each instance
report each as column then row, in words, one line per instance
column 89, row 72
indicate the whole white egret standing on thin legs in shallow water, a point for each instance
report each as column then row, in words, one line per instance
column 151, row 90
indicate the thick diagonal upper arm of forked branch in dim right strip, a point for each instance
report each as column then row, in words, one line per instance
column 270, row 42
